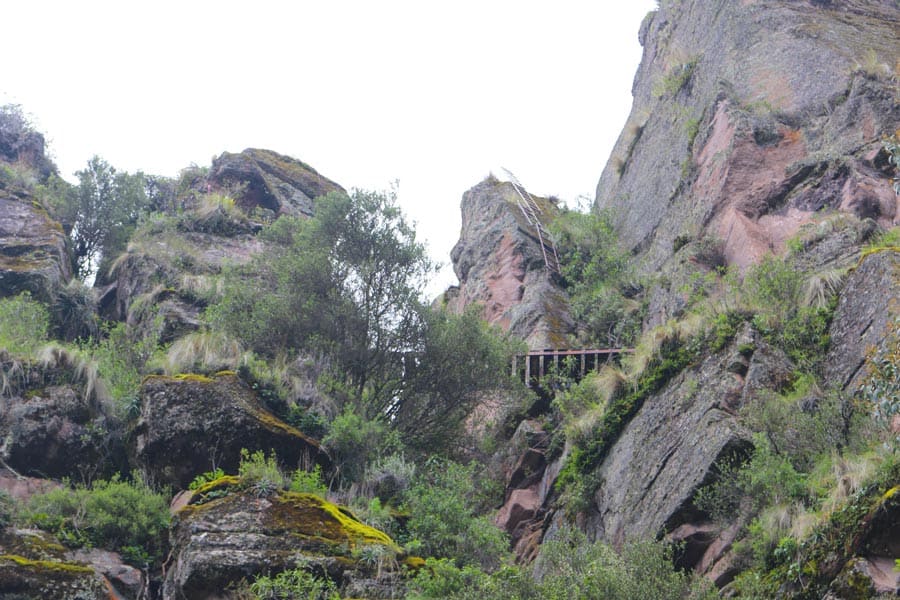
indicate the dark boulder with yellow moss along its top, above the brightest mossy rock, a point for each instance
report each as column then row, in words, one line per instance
column 190, row 423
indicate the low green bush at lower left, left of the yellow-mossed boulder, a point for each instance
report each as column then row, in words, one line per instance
column 113, row 514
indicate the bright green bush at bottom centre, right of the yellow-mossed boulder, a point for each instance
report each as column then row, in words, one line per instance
column 443, row 504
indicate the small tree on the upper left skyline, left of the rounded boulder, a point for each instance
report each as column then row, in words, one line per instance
column 100, row 213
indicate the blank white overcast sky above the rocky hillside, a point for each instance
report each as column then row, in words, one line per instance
column 432, row 95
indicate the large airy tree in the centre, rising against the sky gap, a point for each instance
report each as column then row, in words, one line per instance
column 347, row 282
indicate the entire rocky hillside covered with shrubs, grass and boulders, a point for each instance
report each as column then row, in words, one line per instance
column 230, row 384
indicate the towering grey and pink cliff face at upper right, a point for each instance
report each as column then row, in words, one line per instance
column 751, row 119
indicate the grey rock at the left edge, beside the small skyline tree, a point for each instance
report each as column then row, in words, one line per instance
column 33, row 252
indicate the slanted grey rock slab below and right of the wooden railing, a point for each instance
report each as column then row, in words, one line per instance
column 650, row 474
